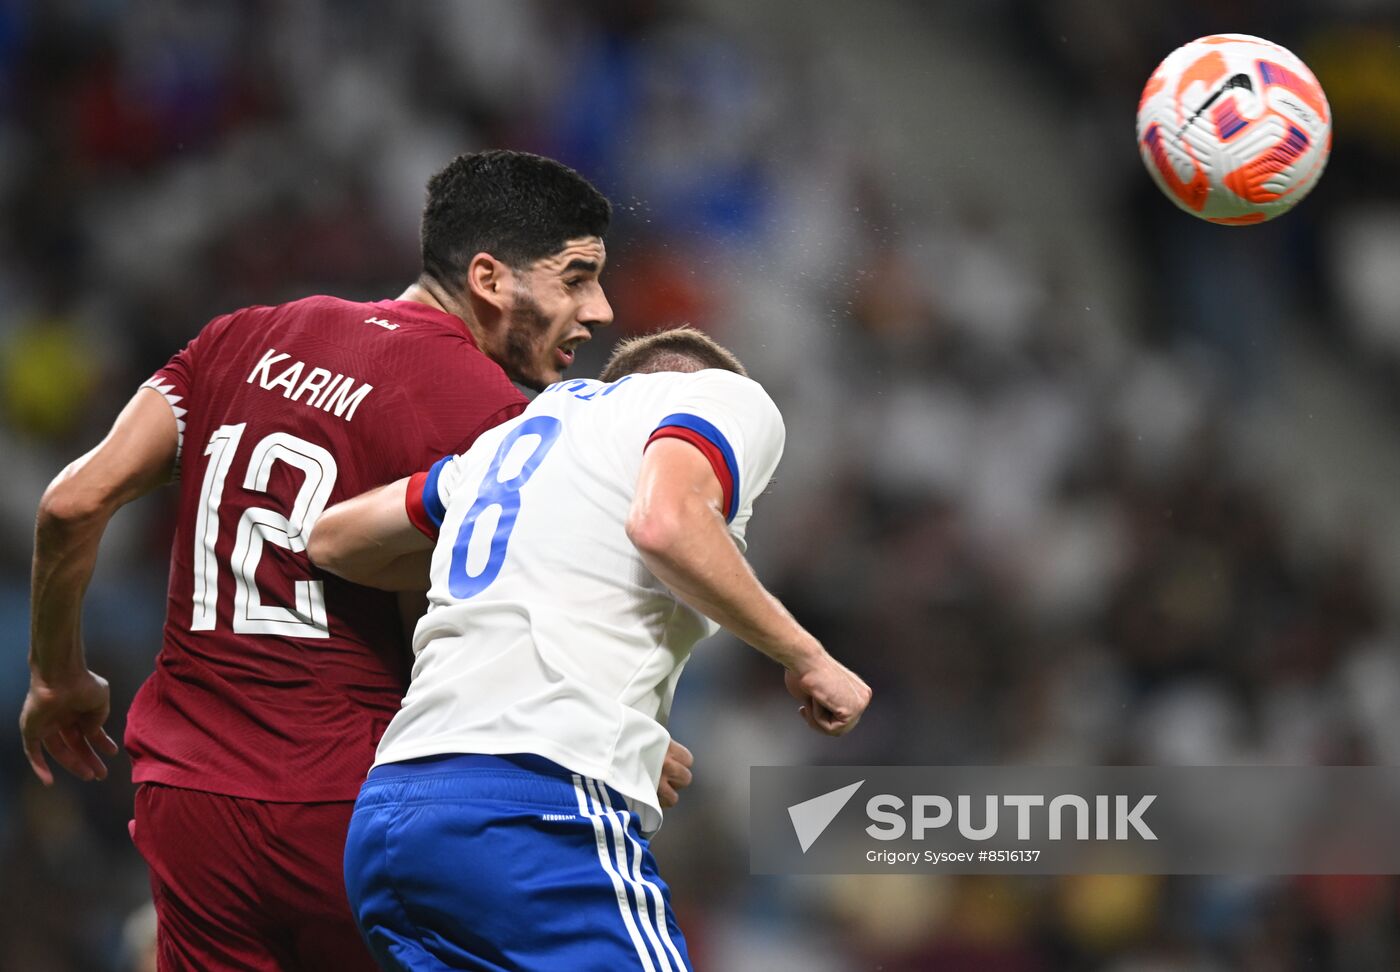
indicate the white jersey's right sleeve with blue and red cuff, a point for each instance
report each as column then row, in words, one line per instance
column 736, row 426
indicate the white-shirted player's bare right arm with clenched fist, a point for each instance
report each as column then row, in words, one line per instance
column 678, row 527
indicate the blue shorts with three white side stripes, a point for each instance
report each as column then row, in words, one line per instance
column 505, row 863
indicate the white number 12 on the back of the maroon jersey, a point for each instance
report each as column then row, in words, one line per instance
column 257, row 527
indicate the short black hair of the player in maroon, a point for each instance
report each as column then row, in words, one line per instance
column 513, row 205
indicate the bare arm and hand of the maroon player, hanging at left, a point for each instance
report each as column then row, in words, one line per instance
column 68, row 705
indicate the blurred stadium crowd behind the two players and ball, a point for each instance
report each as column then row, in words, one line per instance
column 1072, row 477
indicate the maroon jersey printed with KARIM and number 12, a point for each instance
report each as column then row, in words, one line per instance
column 276, row 680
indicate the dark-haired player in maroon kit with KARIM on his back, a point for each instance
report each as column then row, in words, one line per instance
column 275, row 680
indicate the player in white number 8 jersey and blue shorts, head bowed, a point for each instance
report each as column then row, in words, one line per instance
column 582, row 551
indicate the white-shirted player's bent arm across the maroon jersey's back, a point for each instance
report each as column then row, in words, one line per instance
column 372, row 541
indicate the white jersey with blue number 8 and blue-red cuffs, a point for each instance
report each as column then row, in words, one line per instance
column 545, row 632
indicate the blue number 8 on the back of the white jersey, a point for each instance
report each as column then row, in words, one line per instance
column 506, row 495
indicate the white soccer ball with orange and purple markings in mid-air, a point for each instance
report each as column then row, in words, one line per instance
column 1234, row 130
